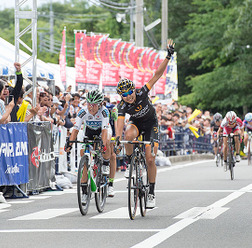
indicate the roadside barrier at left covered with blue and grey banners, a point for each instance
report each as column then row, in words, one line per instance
column 26, row 156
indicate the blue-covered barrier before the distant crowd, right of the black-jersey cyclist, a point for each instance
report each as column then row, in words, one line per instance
column 185, row 143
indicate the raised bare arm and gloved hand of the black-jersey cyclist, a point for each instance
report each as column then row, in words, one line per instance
column 159, row 72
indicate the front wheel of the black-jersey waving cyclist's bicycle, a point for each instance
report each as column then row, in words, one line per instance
column 133, row 189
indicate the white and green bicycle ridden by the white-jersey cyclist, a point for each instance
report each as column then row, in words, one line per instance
column 97, row 182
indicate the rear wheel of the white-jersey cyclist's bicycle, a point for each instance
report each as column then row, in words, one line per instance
column 101, row 194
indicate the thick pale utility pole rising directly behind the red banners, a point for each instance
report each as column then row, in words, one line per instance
column 139, row 24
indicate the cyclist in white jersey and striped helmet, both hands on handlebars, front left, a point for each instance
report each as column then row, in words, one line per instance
column 95, row 117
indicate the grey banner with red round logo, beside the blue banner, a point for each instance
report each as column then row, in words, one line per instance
column 41, row 156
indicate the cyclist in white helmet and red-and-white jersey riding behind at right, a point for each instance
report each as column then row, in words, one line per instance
column 231, row 124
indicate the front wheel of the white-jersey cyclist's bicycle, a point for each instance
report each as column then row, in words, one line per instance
column 83, row 208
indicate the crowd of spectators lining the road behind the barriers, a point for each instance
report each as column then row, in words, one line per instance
column 61, row 108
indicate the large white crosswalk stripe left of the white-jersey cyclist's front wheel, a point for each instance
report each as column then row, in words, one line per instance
column 46, row 214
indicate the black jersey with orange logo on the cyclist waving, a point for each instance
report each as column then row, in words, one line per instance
column 142, row 109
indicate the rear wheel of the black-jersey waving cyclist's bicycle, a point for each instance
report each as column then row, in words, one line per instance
column 145, row 187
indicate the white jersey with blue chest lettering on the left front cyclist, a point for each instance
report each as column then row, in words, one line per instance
column 93, row 122
